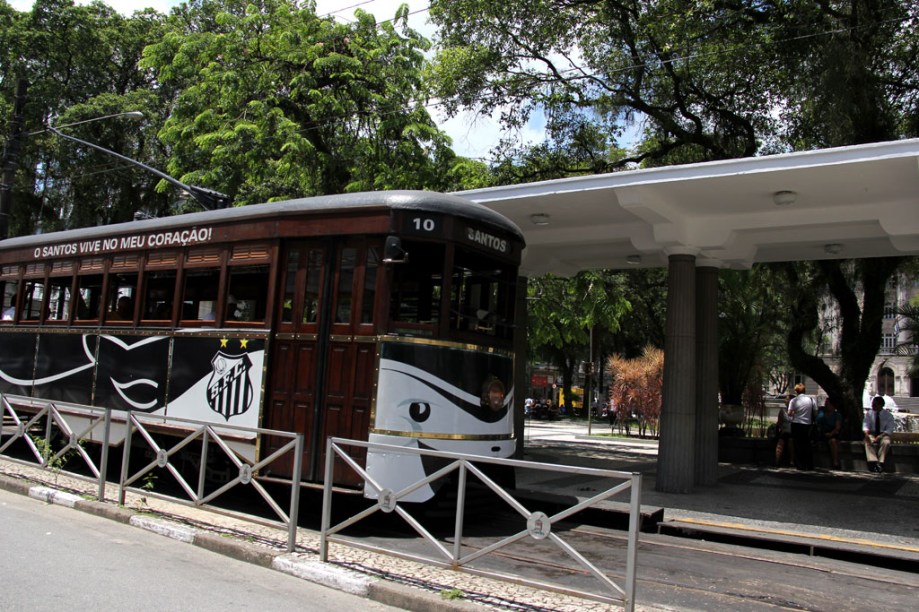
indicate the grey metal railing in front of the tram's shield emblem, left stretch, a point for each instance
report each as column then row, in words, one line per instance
column 38, row 423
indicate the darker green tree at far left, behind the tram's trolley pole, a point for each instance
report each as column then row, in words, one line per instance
column 81, row 62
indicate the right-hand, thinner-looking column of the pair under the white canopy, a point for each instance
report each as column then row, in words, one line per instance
column 706, row 375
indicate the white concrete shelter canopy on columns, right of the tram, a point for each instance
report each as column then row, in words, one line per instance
column 849, row 202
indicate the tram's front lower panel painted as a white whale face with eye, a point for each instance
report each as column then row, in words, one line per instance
column 442, row 398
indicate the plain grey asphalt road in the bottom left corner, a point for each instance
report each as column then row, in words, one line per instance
column 54, row 558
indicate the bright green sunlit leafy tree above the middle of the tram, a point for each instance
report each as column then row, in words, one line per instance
column 274, row 102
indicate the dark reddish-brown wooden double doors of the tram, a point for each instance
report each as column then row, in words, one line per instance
column 322, row 362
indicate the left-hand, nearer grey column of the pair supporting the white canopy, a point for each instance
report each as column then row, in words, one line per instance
column 676, row 456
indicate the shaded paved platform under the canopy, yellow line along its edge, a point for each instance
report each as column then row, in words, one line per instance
column 841, row 514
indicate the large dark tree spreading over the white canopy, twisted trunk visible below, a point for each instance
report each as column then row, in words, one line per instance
column 706, row 80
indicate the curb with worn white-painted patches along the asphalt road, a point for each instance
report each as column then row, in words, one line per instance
column 292, row 564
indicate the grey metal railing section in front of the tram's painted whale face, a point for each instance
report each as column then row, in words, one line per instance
column 538, row 525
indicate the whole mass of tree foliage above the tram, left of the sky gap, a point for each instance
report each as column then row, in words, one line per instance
column 262, row 101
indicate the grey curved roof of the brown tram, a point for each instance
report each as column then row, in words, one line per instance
column 422, row 201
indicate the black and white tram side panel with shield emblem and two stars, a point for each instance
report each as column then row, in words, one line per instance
column 218, row 380
